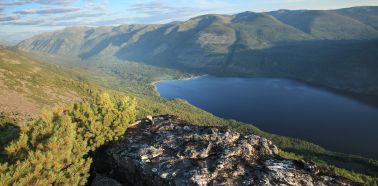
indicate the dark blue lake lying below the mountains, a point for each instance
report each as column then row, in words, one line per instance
column 285, row 107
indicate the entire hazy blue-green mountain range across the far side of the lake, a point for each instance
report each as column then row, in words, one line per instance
column 335, row 48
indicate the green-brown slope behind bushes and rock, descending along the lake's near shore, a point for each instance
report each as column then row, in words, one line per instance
column 43, row 85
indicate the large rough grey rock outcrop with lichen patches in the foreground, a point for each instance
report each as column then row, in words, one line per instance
column 165, row 150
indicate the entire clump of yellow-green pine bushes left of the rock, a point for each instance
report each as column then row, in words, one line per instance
column 53, row 149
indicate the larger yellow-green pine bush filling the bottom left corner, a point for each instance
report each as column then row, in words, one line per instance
column 48, row 152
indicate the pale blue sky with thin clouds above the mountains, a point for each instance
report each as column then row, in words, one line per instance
column 20, row 19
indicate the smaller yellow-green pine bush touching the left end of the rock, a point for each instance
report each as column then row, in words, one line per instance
column 104, row 120
